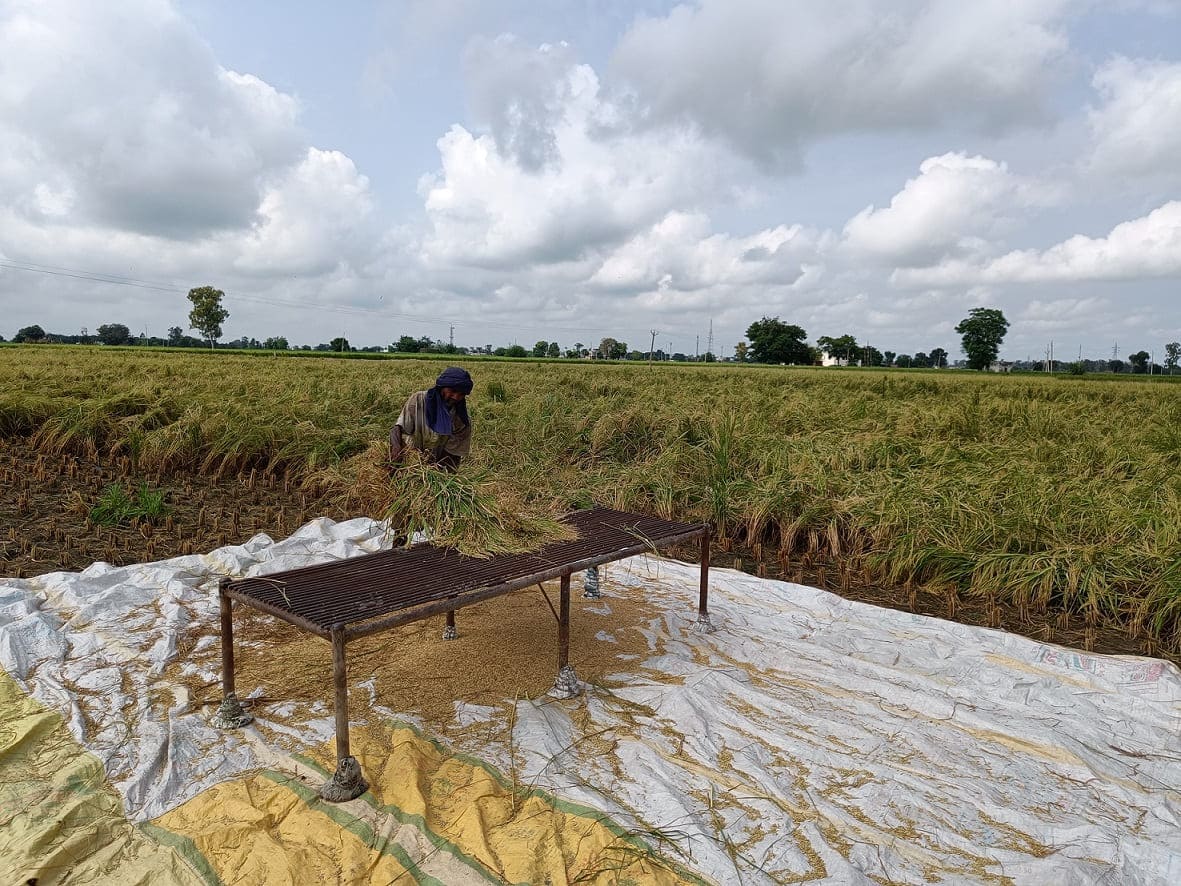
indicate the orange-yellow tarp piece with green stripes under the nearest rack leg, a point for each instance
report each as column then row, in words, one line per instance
column 429, row 818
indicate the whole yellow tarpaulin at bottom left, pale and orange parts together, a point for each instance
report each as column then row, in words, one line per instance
column 430, row 818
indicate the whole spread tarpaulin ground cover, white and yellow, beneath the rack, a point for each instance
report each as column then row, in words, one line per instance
column 810, row 740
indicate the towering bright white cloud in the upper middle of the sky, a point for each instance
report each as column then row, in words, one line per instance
column 552, row 185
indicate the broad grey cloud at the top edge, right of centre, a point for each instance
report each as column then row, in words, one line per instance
column 771, row 77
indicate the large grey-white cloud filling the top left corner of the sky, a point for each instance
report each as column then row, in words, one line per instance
column 122, row 114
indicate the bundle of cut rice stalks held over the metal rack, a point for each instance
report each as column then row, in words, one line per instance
column 468, row 511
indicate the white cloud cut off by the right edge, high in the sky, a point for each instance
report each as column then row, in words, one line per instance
column 1138, row 126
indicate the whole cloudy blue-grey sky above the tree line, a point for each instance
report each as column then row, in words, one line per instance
column 506, row 173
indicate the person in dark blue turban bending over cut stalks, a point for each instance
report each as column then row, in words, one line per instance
column 436, row 424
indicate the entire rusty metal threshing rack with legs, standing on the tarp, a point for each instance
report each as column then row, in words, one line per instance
column 361, row 596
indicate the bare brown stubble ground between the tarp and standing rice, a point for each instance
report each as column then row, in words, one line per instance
column 44, row 527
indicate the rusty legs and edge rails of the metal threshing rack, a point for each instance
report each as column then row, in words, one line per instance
column 348, row 781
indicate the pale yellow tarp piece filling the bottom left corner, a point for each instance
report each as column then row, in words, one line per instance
column 60, row 819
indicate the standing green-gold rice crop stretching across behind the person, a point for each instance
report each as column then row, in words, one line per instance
column 1059, row 498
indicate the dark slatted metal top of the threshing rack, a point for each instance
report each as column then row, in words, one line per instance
column 360, row 590
